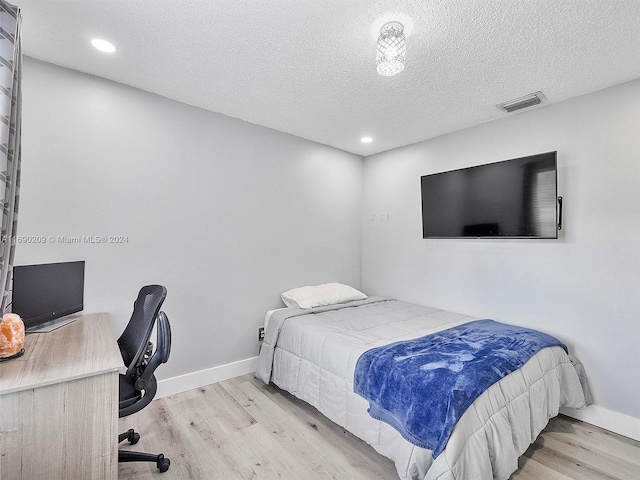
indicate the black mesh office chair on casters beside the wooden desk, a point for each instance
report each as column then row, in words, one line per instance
column 138, row 385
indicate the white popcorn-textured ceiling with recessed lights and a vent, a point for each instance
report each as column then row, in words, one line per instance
column 307, row 67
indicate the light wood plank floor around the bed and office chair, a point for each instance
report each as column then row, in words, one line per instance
column 243, row 429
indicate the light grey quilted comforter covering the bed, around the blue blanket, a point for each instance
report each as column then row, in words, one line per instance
column 312, row 353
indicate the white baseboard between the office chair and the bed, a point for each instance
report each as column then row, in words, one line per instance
column 182, row 383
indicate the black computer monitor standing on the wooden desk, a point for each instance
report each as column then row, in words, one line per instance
column 45, row 292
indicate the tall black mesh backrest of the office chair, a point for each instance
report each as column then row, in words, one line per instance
column 134, row 340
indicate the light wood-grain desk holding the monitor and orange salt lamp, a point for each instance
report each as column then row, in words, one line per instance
column 59, row 404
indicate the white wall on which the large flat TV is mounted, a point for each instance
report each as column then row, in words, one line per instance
column 583, row 288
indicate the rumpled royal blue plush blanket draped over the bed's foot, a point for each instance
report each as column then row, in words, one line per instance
column 421, row 387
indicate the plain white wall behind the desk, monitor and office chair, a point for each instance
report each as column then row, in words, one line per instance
column 225, row 214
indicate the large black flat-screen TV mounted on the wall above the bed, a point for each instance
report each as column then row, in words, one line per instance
column 510, row 199
